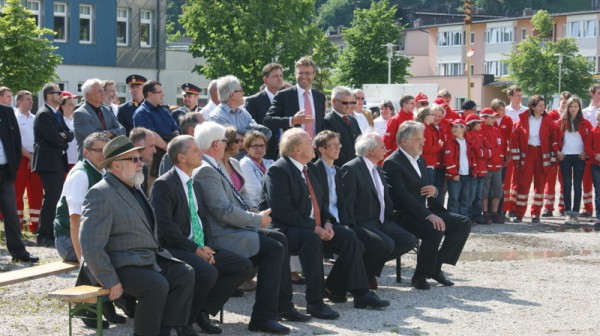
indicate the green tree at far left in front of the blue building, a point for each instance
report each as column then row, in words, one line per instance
column 27, row 59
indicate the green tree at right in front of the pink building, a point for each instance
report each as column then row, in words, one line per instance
column 534, row 65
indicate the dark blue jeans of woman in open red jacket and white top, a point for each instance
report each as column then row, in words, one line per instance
column 571, row 168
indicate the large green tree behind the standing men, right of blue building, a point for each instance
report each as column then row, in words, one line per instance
column 239, row 37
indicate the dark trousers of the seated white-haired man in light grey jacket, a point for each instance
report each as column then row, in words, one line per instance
column 274, row 282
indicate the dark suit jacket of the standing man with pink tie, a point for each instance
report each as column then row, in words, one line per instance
column 285, row 105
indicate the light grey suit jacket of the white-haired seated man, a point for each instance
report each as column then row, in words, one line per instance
column 233, row 228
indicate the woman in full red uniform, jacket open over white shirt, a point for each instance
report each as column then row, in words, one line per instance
column 533, row 149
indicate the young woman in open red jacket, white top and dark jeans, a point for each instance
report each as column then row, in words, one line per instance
column 572, row 135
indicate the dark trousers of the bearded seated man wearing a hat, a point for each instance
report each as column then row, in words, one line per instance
column 164, row 298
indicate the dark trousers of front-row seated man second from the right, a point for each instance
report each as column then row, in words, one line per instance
column 382, row 243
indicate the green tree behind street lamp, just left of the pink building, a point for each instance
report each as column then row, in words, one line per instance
column 364, row 60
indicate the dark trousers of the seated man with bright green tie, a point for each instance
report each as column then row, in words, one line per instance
column 214, row 283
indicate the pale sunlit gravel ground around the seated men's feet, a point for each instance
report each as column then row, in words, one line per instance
column 513, row 279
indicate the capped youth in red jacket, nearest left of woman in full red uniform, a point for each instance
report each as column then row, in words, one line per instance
column 492, row 186
